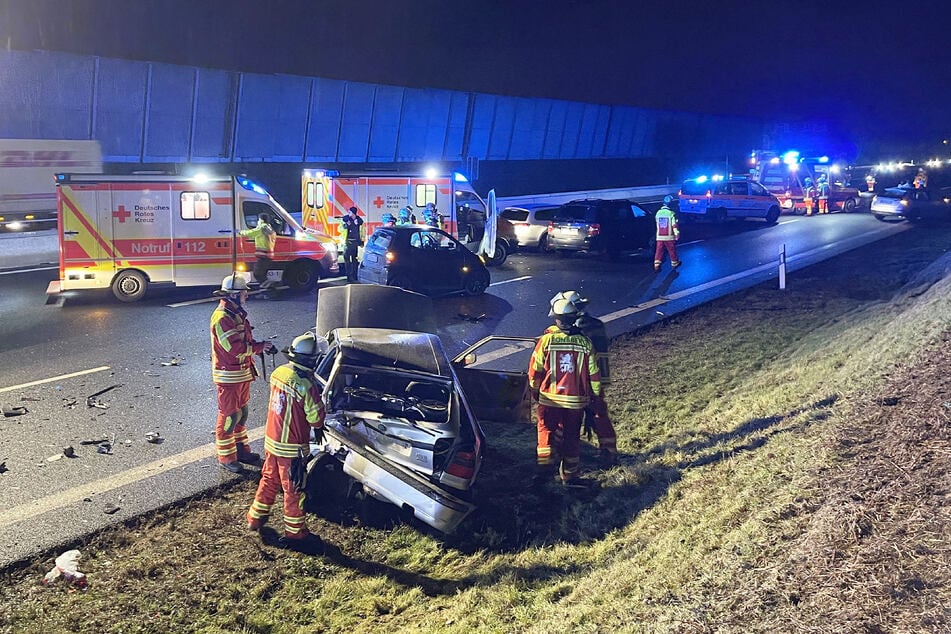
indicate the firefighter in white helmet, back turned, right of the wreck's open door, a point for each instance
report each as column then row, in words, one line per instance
column 563, row 376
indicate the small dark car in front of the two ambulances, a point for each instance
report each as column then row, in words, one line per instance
column 424, row 259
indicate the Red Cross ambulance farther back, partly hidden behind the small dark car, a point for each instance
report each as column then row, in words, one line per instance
column 326, row 195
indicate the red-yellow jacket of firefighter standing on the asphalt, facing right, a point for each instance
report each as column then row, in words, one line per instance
column 232, row 346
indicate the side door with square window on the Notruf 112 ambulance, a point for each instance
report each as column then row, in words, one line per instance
column 202, row 230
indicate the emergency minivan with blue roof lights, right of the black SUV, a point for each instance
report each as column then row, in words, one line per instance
column 717, row 199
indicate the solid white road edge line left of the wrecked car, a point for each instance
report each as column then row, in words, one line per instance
column 35, row 508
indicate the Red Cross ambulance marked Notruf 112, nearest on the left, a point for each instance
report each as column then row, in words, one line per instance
column 128, row 233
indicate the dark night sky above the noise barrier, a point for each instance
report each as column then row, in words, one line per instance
column 882, row 69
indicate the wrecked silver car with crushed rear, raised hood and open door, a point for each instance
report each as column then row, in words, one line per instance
column 403, row 419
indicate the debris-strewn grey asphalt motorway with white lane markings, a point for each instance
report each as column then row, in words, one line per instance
column 154, row 355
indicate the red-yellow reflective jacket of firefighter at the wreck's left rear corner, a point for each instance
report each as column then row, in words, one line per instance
column 294, row 408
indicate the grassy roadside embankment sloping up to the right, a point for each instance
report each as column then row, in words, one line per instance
column 785, row 469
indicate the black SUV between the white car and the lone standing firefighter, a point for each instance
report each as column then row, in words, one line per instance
column 607, row 226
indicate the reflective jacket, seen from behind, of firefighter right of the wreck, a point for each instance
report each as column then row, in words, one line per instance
column 563, row 369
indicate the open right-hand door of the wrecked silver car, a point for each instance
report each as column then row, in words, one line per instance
column 494, row 376
